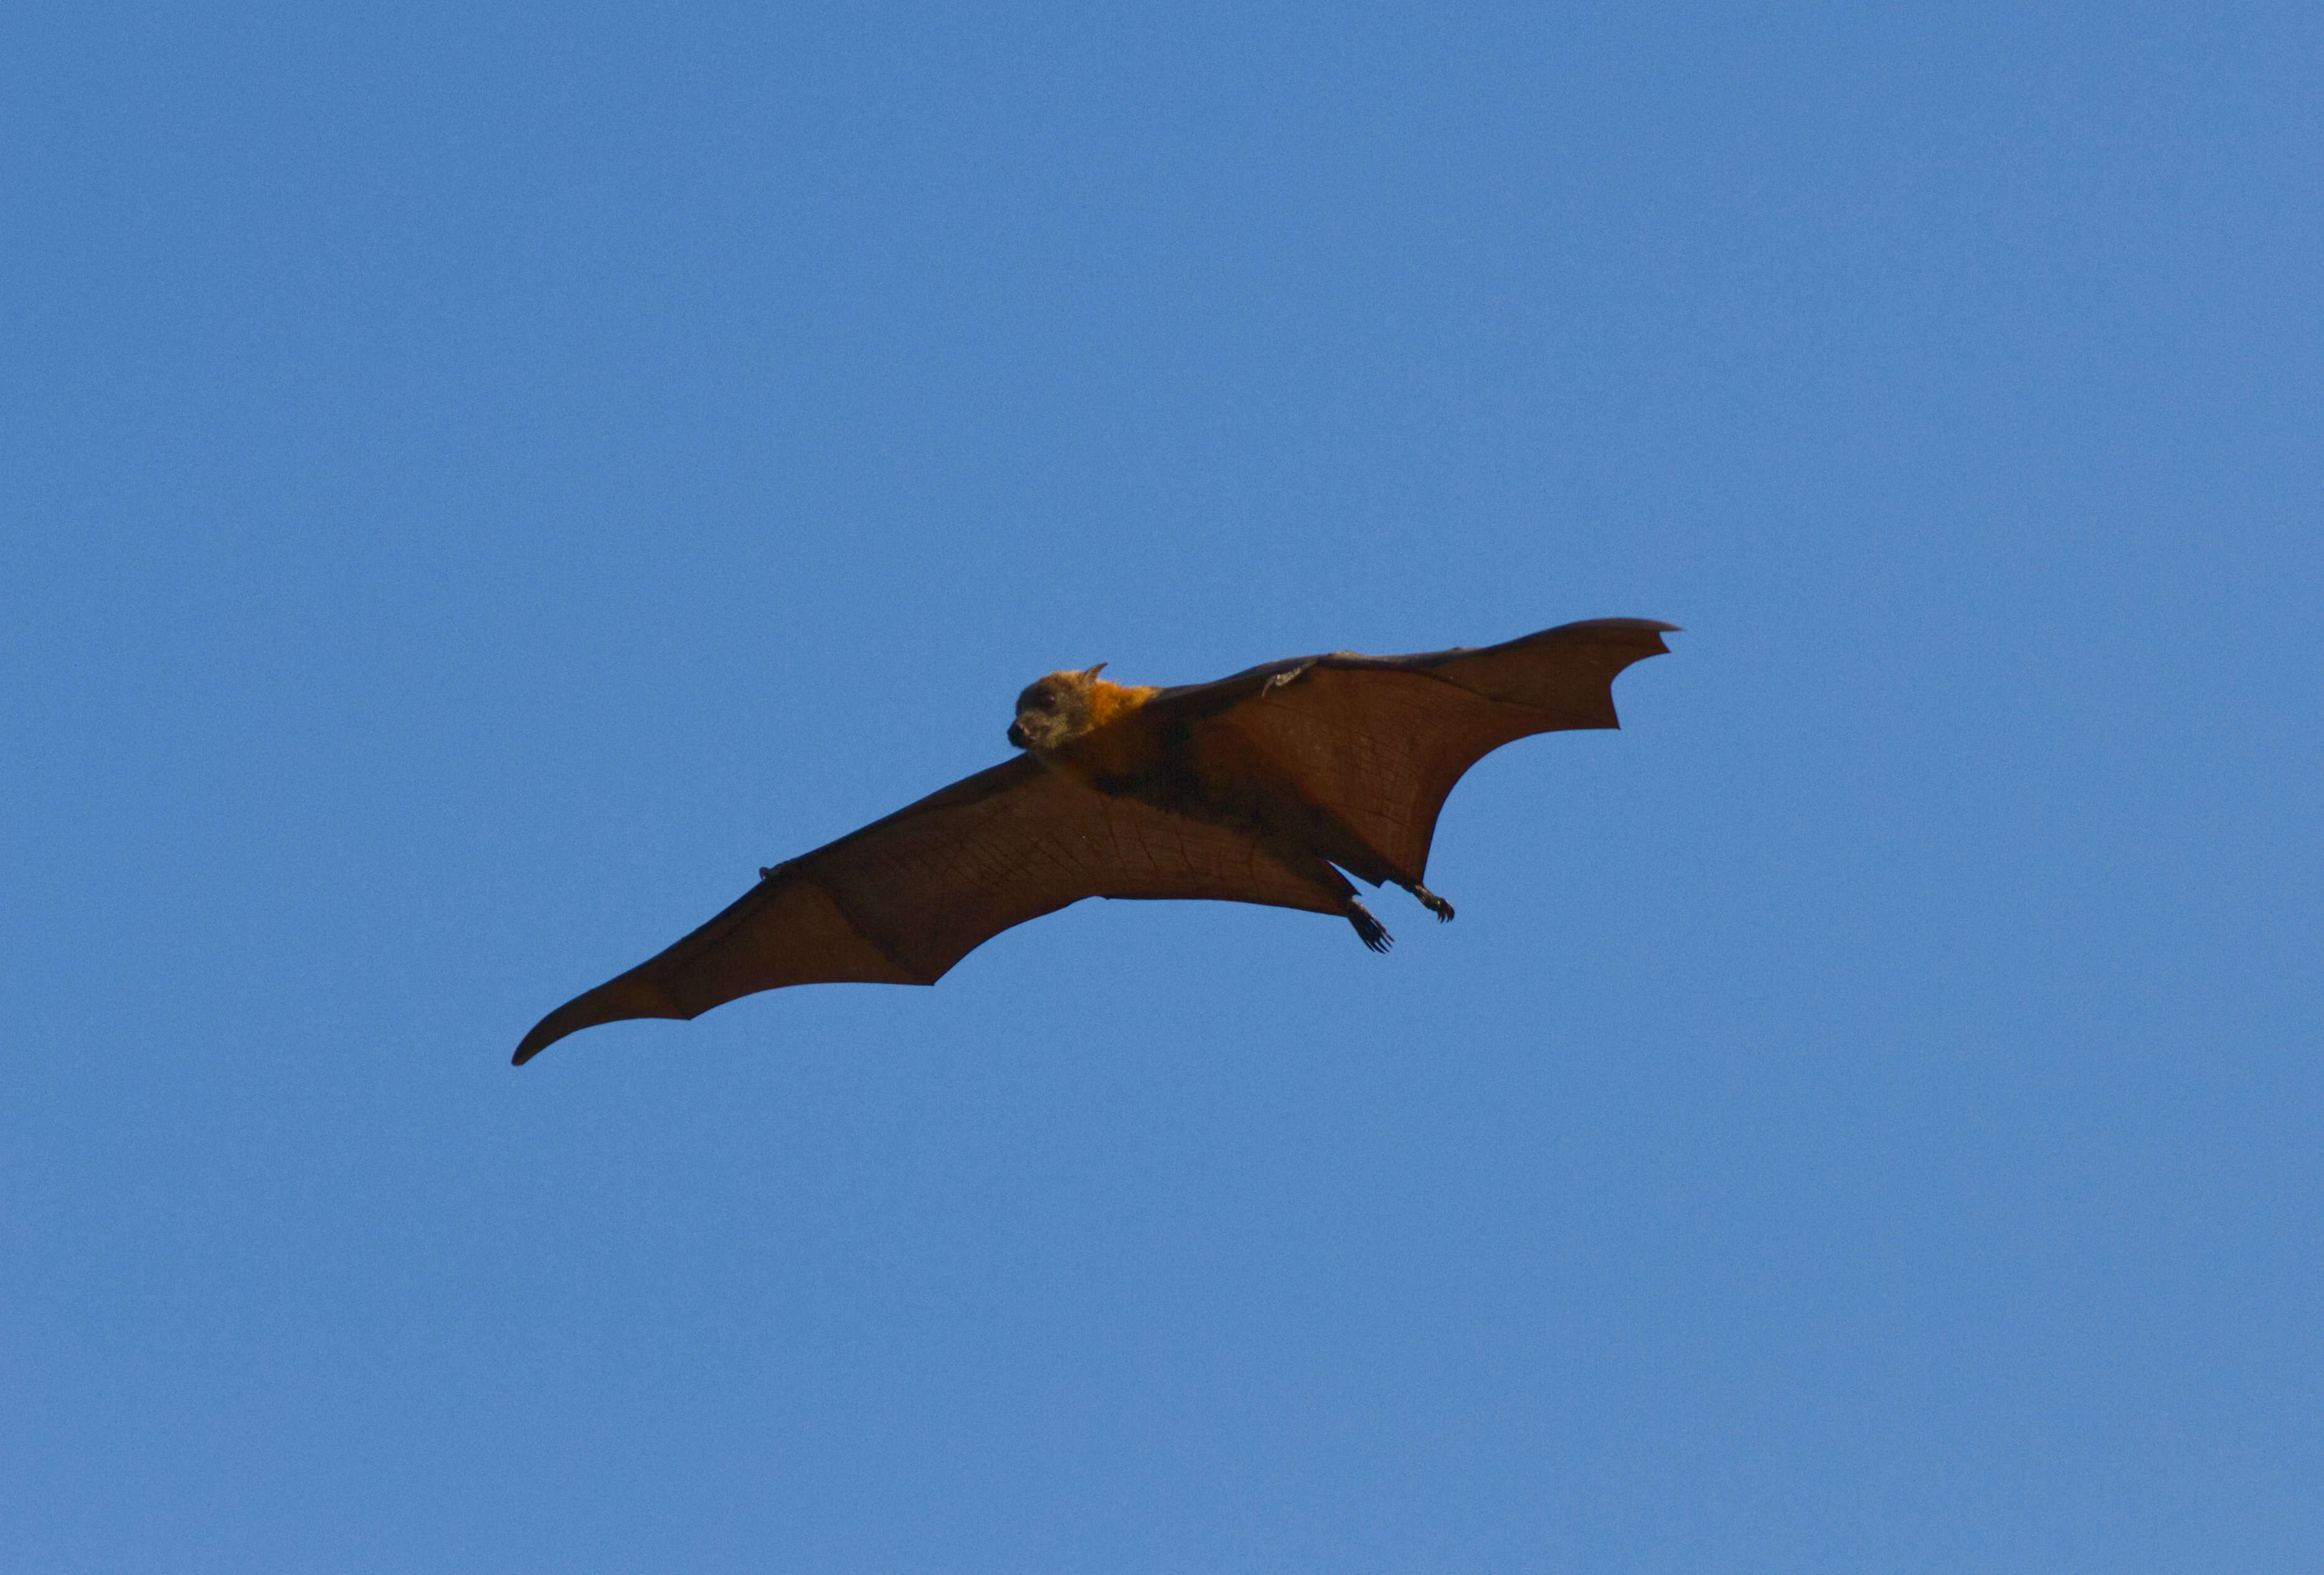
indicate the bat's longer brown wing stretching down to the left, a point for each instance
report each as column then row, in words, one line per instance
column 908, row 898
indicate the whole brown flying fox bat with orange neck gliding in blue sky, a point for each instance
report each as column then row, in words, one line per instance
column 1254, row 789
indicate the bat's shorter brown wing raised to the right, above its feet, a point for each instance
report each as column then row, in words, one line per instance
column 1375, row 745
